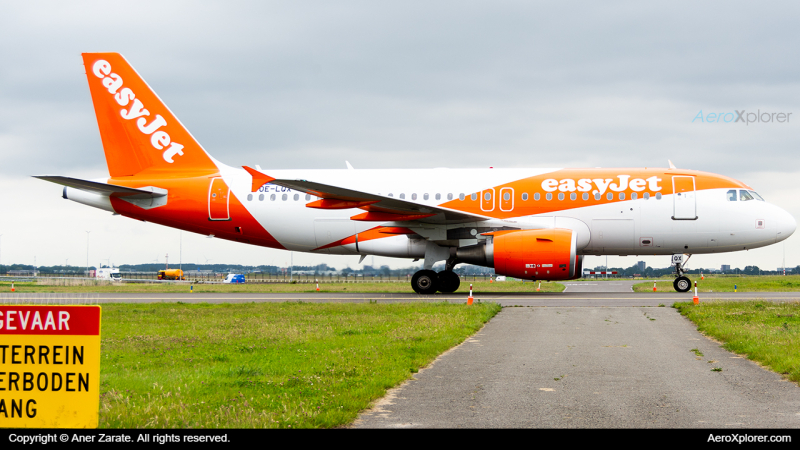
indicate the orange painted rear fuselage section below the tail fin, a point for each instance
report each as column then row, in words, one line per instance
column 187, row 208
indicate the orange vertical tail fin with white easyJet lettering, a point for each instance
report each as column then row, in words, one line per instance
column 138, row 131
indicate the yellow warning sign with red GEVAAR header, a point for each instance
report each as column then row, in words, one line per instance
column 49, row 366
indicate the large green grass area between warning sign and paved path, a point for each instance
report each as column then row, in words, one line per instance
column 275, row 365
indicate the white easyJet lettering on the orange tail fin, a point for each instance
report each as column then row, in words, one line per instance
column 159, row 139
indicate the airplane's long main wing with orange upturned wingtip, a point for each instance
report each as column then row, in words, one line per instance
column 378, row 207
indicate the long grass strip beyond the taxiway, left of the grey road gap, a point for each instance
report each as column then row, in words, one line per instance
column 365, row 287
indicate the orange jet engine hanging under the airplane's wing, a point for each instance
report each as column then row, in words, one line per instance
column 545, row 254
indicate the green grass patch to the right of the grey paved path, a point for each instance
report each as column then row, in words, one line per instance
column 766, row 332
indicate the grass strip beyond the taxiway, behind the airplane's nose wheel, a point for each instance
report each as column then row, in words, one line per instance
column 743, row 283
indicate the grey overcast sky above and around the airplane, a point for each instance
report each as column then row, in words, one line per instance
column 310, row 84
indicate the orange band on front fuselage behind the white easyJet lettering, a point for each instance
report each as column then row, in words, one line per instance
column 568, row 181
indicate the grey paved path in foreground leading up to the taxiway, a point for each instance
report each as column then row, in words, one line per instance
column 557, row 367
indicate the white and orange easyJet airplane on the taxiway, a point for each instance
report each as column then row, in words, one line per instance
column 534, row 224
